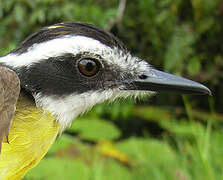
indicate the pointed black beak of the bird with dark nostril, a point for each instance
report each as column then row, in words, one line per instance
column 159, row 81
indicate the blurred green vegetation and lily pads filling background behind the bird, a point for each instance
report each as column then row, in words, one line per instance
column 167, row 137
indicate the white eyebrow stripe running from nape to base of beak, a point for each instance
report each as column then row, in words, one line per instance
column 75, row 45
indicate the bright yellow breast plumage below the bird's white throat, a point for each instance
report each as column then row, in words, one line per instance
column 32, row 133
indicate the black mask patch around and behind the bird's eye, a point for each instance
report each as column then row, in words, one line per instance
column 61, row 76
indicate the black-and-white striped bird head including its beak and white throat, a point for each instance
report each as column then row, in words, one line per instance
column 70, row 67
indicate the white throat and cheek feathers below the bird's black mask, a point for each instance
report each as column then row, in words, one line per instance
column 66, row 109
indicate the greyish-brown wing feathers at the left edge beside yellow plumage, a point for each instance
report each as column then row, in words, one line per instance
column 9, row 93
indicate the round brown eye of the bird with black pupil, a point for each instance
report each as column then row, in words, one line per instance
column 88, row 67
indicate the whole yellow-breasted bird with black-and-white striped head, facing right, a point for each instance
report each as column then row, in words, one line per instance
column 60, row 72
